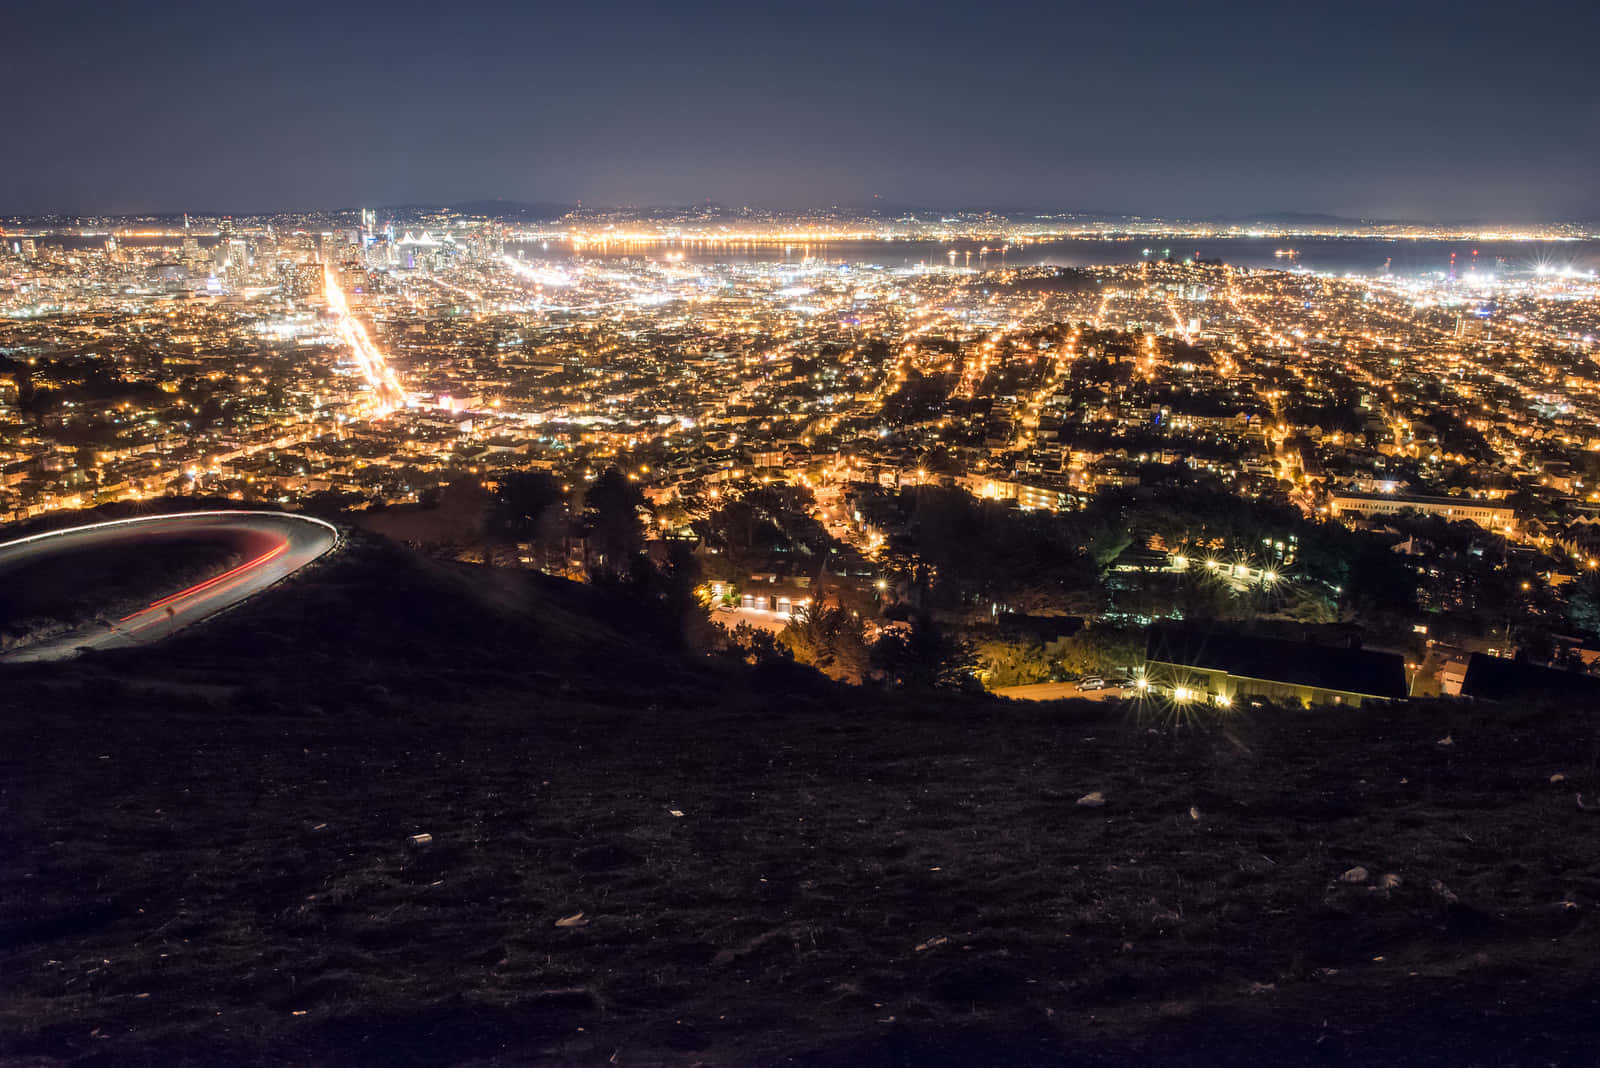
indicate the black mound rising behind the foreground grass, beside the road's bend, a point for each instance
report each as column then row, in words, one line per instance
column 380, row 615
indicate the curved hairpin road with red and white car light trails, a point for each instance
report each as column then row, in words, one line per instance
column 279, row 544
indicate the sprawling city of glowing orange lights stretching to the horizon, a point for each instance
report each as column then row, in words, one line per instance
column 302, row 356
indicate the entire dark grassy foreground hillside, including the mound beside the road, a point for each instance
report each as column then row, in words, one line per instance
column 207, row 855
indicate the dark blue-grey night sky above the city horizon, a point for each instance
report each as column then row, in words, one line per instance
column 1423, row 111
